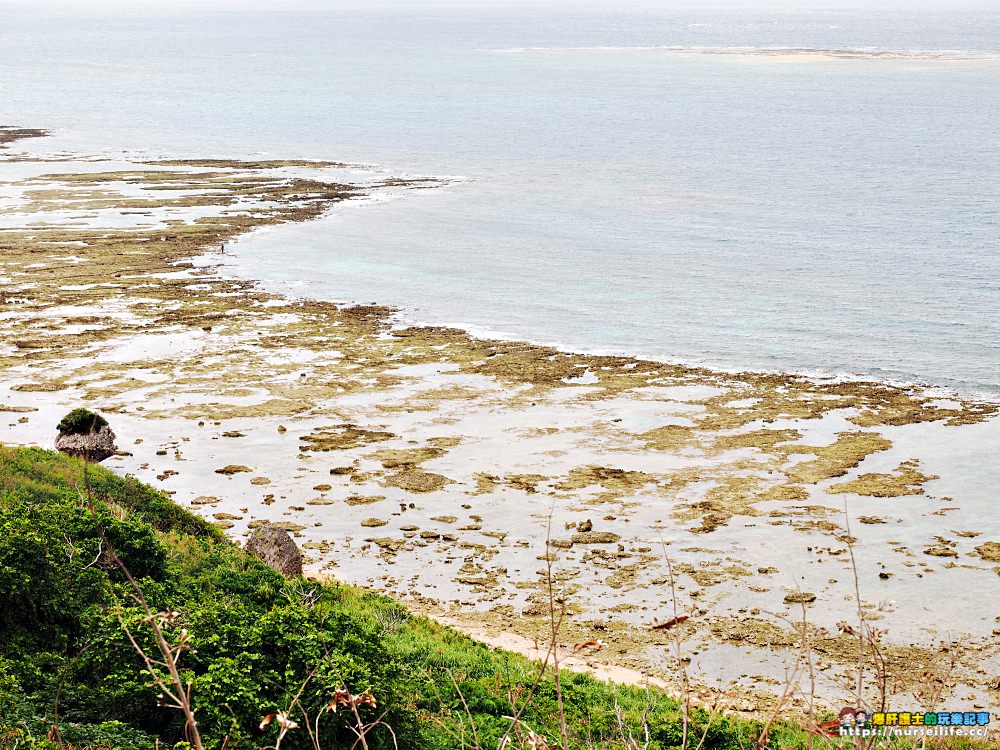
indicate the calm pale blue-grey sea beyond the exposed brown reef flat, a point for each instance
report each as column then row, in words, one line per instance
column 667, row 183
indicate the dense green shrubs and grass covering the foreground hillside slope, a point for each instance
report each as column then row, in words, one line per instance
column 256, row 640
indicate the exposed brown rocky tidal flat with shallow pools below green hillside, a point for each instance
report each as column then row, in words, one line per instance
column 491, row 482
